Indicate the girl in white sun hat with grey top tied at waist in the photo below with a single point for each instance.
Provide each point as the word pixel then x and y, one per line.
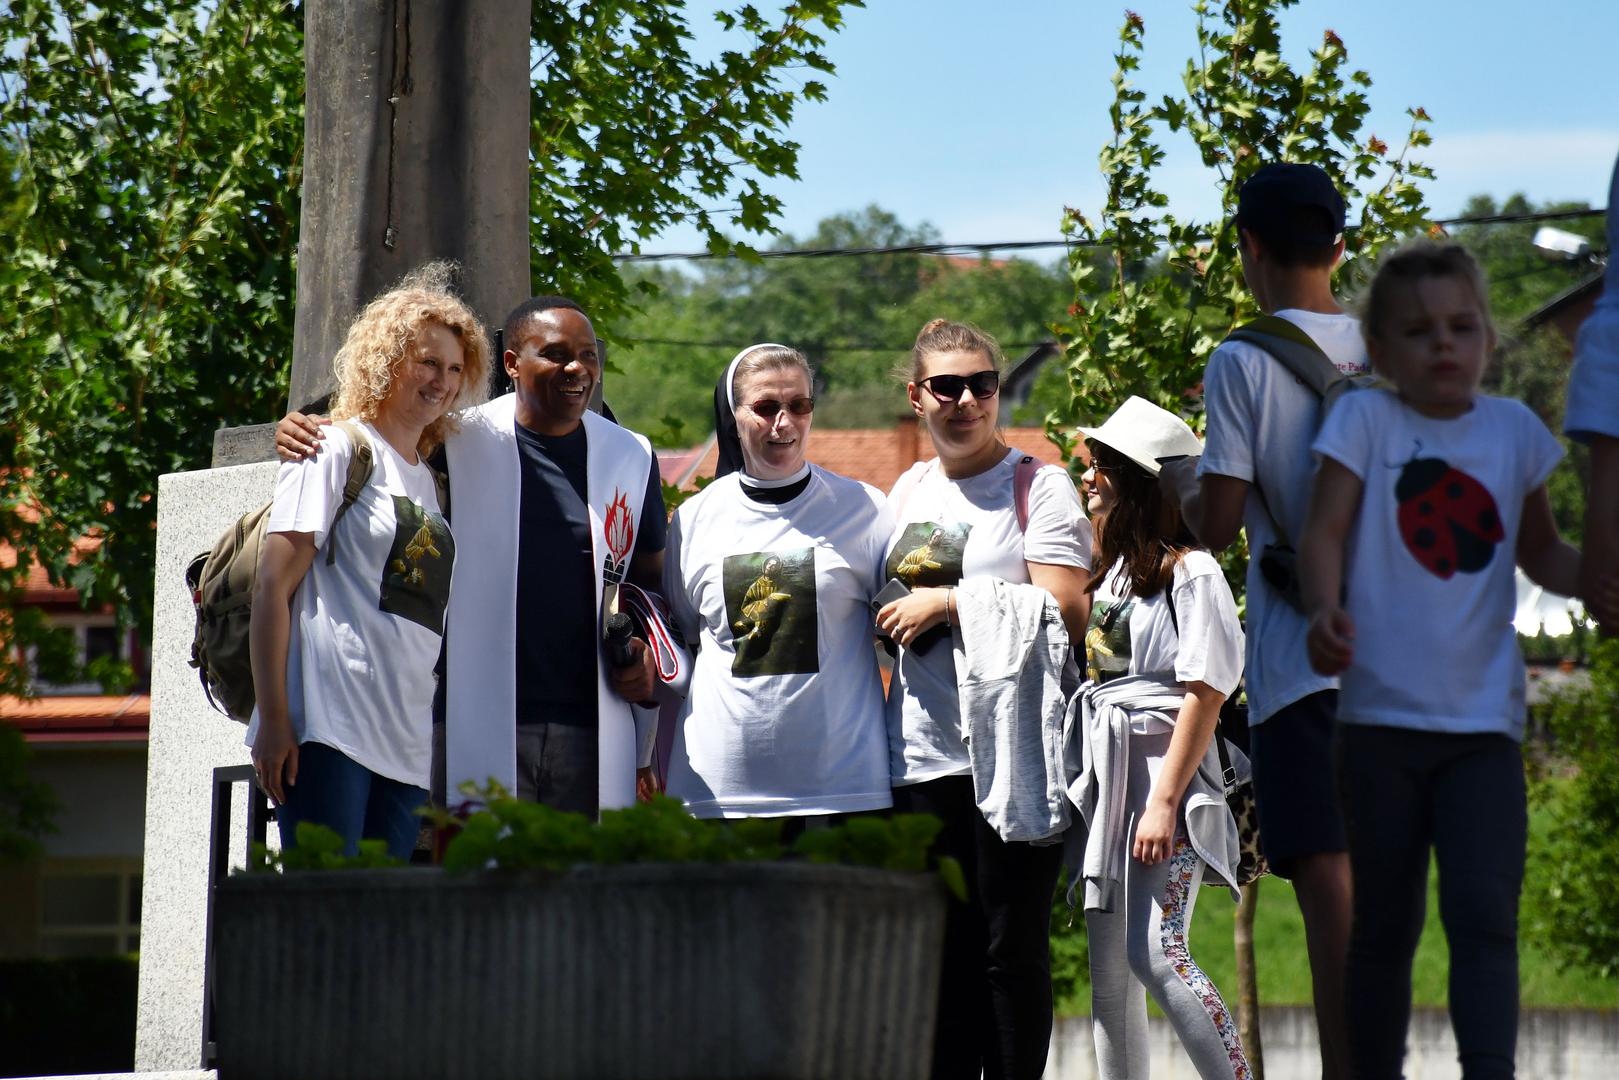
pixel 1165 626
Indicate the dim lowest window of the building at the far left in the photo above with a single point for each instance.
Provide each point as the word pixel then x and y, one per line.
pixel 91 911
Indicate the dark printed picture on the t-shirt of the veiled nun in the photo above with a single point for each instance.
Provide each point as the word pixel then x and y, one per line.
pixel 771 610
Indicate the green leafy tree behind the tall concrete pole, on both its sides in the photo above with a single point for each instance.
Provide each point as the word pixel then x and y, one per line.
pixel 151 163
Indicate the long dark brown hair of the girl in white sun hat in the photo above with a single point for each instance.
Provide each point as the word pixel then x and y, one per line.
pixel 1142 530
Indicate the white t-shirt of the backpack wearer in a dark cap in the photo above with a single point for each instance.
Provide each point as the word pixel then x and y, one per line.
pixel 1260 427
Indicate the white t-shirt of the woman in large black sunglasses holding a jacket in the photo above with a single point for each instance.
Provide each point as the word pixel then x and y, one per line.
pixel 950 530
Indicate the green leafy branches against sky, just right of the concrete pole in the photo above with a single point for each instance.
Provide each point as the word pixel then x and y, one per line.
pixel 634 134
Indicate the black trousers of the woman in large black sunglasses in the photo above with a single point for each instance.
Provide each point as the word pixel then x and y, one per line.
pixel 995 997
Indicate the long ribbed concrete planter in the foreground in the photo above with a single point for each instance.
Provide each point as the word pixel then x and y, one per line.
pixel 647 971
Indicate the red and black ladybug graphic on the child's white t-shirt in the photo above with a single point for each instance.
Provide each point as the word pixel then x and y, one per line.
pixel 1448 519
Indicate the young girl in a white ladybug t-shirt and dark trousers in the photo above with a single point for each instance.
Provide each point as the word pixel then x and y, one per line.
pixel 1427 498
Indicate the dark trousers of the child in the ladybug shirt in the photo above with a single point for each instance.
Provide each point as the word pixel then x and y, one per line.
pixel 1464 797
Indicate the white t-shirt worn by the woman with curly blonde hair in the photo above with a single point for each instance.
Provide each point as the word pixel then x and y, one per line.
pixel 367 629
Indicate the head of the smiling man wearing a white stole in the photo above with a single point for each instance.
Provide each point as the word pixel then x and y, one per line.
pixel 555 367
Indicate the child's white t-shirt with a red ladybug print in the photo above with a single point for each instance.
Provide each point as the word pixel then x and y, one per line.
pixel 1430 559
